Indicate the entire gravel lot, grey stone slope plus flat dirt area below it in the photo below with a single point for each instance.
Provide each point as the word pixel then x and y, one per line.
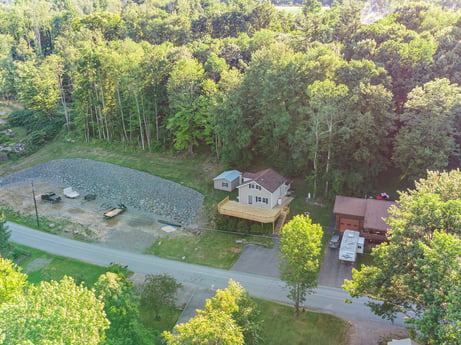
pixel 151 202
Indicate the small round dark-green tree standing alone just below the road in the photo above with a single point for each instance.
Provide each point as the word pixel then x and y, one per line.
pixel 157 291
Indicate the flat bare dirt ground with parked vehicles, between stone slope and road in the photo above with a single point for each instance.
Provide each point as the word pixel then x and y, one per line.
pixel 133 230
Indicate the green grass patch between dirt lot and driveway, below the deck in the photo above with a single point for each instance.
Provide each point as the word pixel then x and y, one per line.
pixel 196 248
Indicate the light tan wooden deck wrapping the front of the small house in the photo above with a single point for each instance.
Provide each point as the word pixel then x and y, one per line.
pixel 258 214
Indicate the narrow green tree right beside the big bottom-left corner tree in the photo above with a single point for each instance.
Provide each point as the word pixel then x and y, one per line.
pixel 120 307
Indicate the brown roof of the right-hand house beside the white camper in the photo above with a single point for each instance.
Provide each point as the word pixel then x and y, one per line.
pixel 373 211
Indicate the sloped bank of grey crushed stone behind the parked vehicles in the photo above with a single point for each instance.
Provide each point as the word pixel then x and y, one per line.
pixel 115 184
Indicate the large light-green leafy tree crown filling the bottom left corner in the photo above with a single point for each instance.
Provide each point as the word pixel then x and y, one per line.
pixel 54 313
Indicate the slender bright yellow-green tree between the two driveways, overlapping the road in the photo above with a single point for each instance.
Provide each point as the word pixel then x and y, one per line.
pixel 300 247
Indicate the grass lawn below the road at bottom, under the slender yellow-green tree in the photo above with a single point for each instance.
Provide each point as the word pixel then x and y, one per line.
pixel 281 326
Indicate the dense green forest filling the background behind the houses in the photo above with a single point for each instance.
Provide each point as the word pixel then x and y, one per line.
pixel 317 94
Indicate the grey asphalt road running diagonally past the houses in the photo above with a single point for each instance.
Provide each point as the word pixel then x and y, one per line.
pixel 325 299
